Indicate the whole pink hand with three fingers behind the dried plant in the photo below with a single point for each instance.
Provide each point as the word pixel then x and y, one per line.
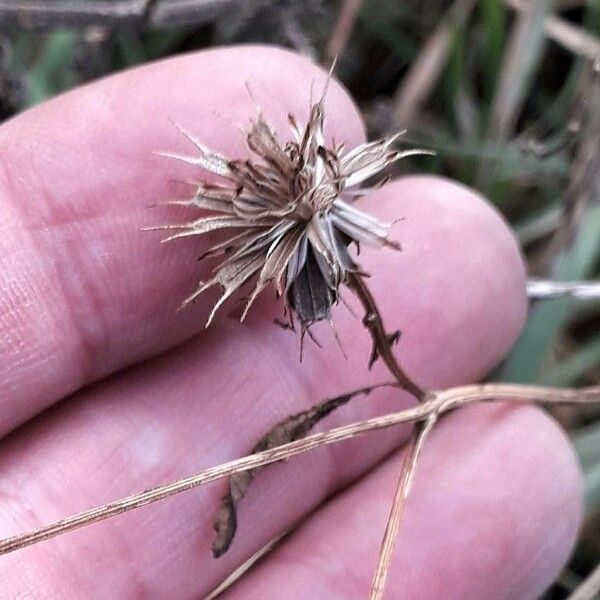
pixel 84 295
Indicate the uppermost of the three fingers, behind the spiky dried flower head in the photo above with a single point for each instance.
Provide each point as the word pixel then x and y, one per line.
pixel 83 291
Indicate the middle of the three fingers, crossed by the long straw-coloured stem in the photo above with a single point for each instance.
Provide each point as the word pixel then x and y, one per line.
pixel 211 400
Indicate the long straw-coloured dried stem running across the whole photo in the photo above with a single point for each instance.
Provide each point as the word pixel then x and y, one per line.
pixel 436 402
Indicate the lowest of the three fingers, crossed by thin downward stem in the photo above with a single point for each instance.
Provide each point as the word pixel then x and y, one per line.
pixel 493 513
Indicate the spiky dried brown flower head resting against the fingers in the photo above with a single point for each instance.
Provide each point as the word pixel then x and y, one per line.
pixel 289 214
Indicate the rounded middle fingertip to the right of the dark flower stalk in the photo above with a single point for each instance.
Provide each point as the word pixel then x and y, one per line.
pixel 461 276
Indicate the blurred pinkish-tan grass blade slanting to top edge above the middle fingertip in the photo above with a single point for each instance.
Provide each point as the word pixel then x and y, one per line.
pixel 423 75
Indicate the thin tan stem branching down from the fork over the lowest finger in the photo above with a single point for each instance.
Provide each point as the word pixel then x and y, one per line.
pixel 399 505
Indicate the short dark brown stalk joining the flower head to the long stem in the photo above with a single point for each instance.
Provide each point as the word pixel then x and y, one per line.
pixel 382 341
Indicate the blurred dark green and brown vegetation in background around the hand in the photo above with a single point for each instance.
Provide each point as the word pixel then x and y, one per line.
pixel 505 91
